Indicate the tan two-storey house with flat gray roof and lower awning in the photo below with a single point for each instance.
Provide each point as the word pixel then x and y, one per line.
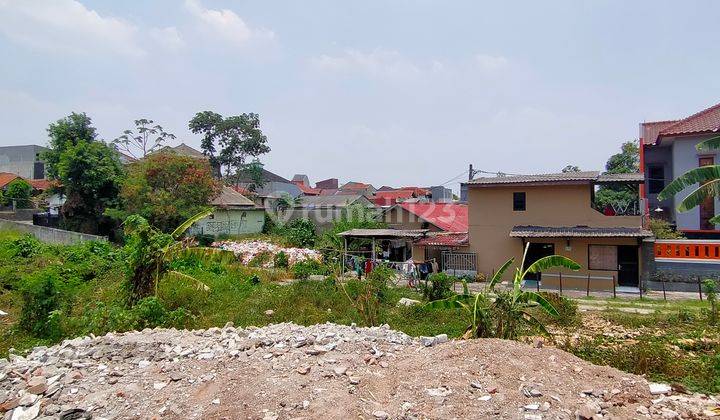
pixel 556 214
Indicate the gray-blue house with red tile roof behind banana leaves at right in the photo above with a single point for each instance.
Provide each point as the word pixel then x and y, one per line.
pixel 668 151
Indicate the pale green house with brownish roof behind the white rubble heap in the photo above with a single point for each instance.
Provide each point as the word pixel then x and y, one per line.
pixel 234 214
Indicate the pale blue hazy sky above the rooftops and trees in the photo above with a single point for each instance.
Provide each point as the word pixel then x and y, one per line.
pixel 390 92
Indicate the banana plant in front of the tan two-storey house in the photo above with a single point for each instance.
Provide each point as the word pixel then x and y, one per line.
pixel 499 314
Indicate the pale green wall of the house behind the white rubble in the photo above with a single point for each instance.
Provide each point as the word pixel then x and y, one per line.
pixel 231 222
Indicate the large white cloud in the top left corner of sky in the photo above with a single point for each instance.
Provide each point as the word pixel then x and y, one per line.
pixel 66 26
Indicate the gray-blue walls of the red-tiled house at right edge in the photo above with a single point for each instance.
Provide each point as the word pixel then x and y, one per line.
pixel 685 157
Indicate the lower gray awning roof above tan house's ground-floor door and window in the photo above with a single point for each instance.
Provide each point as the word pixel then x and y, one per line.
pixel 578 232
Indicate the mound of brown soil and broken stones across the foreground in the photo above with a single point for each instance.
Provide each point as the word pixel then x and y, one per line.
pixel 322 371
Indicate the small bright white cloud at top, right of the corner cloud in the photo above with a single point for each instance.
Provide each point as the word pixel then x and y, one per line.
pixel 226 24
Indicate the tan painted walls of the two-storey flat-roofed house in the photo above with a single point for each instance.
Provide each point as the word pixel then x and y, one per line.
pixel 491 217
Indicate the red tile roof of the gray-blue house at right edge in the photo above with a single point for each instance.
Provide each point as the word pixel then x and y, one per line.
pixel 705 121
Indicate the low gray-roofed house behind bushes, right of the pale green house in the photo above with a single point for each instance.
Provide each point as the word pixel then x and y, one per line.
pixel 323 210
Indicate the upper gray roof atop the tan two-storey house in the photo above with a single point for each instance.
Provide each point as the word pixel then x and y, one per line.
pixel 583 177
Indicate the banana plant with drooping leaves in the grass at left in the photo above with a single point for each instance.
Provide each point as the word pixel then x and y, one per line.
pixel 149 253
